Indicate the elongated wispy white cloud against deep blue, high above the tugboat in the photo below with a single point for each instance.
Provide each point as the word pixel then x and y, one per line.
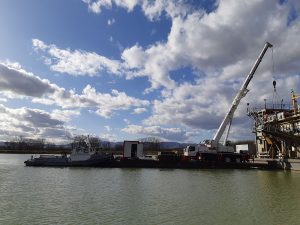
pixel 76 62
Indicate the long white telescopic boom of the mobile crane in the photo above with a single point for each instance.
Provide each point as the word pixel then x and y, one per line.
pixel 241 93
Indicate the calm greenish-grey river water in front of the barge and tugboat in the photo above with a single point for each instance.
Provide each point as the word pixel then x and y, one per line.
pixel 31 195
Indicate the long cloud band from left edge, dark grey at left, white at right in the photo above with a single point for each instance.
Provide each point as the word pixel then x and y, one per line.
pixel 19 83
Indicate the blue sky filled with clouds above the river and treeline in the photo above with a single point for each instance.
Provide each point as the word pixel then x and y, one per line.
pixel 130 69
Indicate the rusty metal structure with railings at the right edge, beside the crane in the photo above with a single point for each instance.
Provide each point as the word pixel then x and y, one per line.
pixel 277 129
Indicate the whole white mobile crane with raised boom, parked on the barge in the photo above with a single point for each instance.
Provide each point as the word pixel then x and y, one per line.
pixel 213 149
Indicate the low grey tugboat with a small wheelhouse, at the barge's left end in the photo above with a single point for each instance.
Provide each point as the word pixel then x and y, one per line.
pixel 82 155
